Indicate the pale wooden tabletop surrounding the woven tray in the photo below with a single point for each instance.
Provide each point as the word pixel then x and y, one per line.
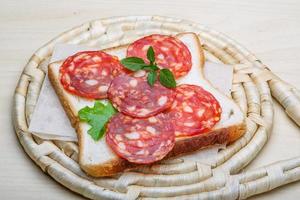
pixel 270 29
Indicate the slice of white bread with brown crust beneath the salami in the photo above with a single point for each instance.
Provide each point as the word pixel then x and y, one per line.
pixel 97 159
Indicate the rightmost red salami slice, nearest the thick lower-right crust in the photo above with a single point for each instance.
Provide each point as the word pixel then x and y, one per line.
pixel 194 111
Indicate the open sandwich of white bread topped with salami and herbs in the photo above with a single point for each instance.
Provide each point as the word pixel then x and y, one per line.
pixel 140 103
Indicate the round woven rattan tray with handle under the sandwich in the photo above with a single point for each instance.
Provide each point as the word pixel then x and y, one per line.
pixel 253 86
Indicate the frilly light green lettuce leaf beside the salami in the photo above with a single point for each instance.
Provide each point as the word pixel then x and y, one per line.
pixel 97 117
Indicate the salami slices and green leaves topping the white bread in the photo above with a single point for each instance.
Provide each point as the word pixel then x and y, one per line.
pixel 151 113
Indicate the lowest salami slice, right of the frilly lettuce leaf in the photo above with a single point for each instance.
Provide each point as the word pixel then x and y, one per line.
pixel 141 141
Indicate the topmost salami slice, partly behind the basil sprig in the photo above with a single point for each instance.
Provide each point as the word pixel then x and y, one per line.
pixel 170 53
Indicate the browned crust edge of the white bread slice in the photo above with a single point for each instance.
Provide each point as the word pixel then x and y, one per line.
pixel 182 145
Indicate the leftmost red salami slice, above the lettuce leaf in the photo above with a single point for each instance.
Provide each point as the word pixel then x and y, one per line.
pixel 88 74
